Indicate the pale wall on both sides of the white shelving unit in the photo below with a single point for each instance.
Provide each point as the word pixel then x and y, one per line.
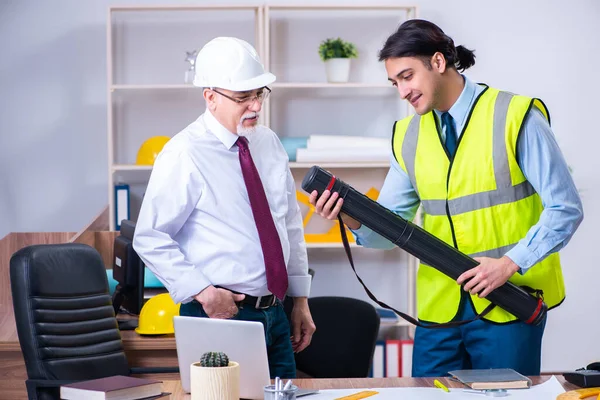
pixel 53 120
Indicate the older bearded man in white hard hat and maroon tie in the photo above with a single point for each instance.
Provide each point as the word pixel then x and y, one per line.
pixel 220 225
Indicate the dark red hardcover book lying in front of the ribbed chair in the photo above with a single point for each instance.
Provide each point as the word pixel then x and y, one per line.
pixel 116 387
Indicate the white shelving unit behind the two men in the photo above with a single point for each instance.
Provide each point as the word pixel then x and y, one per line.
pixel 137 77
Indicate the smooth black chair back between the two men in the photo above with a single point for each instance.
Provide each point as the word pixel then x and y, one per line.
pixel 344 342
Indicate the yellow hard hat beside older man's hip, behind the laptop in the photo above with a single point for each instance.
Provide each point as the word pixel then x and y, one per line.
pixel 156 317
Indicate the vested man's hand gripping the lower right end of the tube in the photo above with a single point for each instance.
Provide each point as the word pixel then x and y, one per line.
pixel 490 274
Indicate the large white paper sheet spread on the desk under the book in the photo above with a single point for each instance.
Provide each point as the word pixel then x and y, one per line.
pixel 547 390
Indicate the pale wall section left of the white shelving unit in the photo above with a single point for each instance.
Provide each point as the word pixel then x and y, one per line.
pixel 53 112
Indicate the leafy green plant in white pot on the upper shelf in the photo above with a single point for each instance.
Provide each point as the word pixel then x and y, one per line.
pixel 336 53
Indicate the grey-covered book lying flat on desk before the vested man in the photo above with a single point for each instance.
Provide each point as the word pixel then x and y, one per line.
pixel 493 378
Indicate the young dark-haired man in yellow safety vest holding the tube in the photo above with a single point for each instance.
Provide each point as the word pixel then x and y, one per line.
pixel 493 183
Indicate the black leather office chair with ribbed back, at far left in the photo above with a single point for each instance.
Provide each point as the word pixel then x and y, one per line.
pixel 65 319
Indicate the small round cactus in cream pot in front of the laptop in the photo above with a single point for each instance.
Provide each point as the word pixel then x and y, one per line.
pixel 215 377
